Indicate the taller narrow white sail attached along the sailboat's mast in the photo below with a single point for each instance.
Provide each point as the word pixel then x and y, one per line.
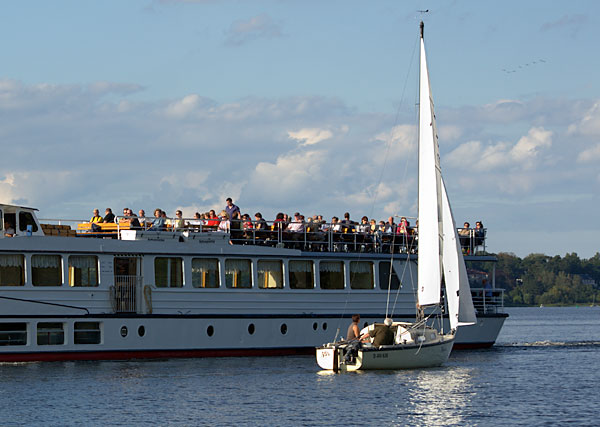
pixel 430 227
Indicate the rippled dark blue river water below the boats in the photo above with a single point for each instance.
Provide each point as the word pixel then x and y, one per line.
pixel 544 370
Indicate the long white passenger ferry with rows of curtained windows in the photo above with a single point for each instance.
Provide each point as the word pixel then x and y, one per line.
pixel 73 291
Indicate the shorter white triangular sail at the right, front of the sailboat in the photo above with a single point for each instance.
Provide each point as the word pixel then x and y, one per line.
pixel 458 290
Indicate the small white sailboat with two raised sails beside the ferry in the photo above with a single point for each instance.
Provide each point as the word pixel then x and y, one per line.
pixel 440 259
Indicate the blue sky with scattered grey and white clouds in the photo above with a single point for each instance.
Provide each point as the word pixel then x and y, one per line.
pixel 306 106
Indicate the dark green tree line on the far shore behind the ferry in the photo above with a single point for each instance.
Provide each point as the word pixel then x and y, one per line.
pixel 542 279
